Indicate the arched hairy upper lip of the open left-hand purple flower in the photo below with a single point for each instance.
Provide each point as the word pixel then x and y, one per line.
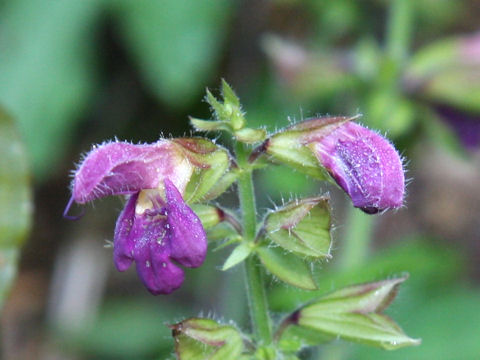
pixel 121 168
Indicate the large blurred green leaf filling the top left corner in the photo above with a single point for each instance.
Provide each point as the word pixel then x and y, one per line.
pixel 45 71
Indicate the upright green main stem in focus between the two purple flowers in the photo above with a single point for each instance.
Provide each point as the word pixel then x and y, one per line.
pixel 257 300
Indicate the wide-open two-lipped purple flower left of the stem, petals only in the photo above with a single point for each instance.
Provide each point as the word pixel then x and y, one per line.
pixel 156 229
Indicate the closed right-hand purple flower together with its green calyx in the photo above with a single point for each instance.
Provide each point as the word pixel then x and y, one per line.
pixel 362 162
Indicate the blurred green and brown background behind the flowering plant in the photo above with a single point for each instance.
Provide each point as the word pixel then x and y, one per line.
pixel 73 73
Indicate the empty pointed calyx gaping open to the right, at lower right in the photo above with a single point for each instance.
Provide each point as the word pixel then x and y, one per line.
pixel 355 313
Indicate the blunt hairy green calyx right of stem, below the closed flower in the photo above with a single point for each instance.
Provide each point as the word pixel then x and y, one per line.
pixel 302 226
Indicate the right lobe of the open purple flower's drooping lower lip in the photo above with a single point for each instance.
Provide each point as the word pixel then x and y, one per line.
pixel 188 241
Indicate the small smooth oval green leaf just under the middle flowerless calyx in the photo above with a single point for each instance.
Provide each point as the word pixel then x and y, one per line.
pixel 287 267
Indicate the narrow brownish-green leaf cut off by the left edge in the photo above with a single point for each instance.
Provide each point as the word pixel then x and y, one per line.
pixel 15 201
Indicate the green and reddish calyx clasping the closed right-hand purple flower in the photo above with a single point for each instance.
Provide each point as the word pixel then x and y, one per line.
pixel 289 145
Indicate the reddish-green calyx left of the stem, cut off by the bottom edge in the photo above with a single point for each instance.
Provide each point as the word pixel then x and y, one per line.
pixel 199 339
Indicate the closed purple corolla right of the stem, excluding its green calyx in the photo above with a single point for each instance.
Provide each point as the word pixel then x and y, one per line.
pixel 364 164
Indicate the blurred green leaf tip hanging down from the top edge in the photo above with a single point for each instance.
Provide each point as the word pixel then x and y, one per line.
pixel 176 43
